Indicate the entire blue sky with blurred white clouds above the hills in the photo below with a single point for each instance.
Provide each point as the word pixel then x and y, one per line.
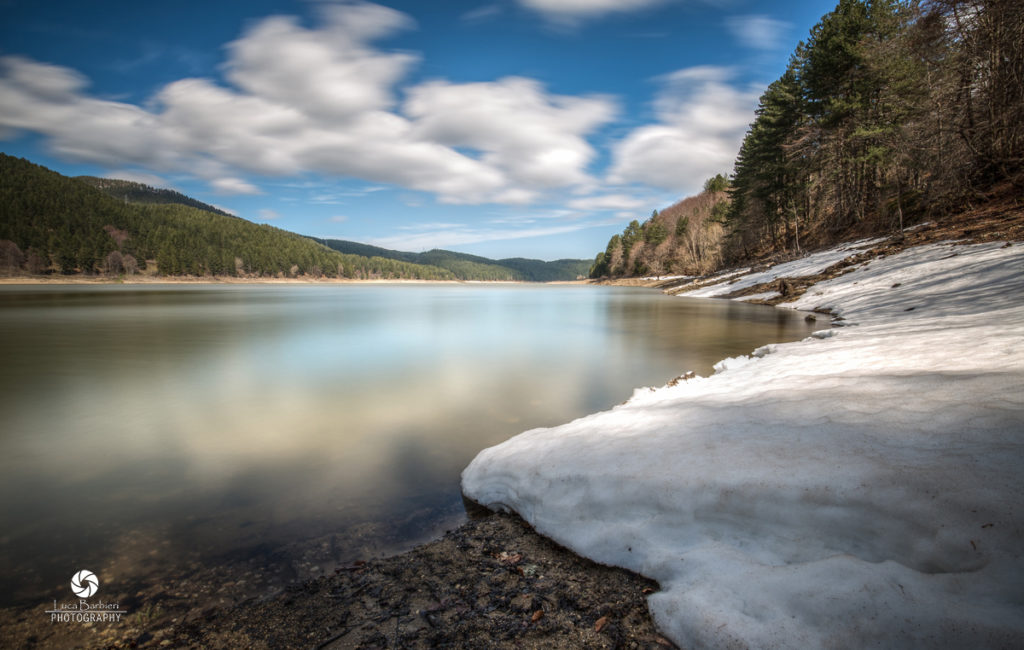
pixel 517 128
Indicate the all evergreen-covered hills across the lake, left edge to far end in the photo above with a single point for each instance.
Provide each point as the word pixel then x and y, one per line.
pixel 51 224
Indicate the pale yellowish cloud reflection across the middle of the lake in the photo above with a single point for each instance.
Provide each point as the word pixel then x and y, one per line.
pixel 233 421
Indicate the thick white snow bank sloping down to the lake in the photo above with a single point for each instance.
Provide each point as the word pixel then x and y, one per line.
pixel 863 488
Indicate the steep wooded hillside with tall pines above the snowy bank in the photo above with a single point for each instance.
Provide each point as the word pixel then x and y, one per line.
pixel 890 114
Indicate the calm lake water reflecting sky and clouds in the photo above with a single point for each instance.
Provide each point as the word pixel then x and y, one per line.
pixel 153 432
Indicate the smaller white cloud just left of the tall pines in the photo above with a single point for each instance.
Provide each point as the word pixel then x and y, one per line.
pixel 702 119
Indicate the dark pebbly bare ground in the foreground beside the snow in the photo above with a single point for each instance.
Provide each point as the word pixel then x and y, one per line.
pixel 414 597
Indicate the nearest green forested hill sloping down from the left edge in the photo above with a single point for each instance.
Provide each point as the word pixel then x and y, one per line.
pixel 52 224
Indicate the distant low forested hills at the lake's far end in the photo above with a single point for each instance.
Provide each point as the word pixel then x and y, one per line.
pixel 466 267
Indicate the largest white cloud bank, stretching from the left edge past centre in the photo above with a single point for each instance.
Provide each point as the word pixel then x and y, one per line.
pixel 321 100
